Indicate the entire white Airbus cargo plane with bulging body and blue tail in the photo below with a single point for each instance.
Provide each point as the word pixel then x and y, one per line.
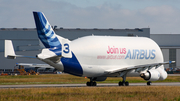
pixel 98 57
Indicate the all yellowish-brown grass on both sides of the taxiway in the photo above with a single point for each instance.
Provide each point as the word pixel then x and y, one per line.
pixel 130 93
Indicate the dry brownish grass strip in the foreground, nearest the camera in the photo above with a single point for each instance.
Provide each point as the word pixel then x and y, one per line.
pixel 131 93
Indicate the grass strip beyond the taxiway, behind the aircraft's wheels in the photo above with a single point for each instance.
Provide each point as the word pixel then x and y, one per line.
pixel 68 79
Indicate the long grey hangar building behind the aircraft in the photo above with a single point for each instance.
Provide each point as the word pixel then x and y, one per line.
pixel 25 41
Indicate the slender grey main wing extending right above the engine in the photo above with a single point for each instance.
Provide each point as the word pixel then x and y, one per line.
pixel 138 68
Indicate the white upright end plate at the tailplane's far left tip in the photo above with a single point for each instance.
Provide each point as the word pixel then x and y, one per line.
pixel 9 50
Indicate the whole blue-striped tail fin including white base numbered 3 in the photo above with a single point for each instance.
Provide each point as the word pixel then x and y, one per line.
pixel 56 44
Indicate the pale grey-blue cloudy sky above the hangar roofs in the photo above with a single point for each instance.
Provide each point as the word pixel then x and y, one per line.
pixel 161 16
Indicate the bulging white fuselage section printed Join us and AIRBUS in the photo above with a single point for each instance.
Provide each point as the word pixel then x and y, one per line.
pixel 97 54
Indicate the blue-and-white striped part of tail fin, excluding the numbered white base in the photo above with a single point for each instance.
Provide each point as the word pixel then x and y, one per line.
pixel 45 31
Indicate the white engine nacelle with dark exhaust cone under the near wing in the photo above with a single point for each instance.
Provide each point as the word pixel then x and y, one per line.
pixel 151 75
